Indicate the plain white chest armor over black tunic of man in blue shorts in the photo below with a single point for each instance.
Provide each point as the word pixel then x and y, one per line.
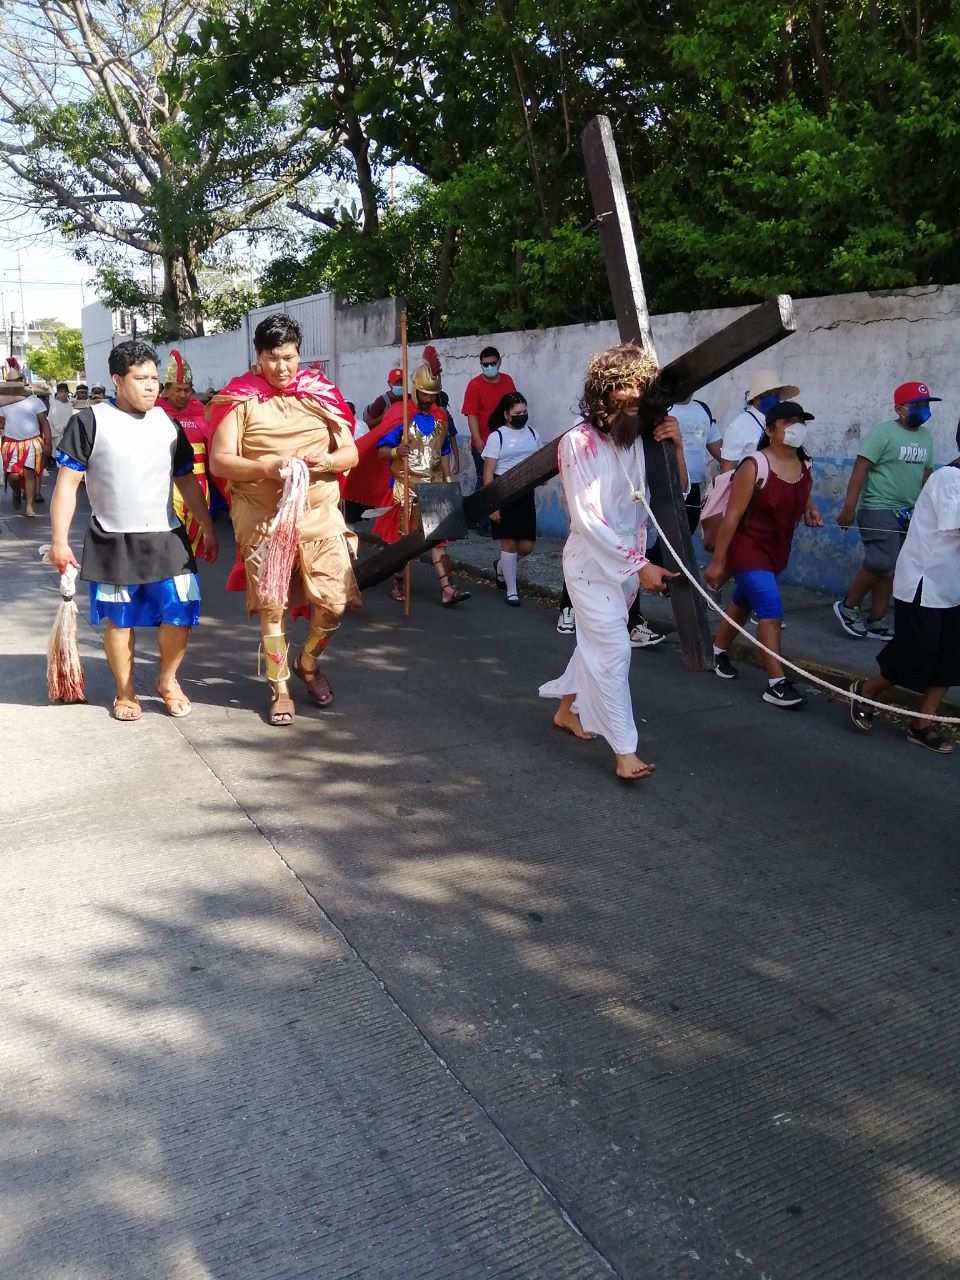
pixel 130 472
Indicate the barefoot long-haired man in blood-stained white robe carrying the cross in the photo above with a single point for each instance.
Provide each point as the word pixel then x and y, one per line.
pixel 605 561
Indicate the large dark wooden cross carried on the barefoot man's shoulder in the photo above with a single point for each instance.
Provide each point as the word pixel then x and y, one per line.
pixel 742 341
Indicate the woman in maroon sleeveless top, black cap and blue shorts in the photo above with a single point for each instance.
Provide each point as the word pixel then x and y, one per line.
pixel 756 538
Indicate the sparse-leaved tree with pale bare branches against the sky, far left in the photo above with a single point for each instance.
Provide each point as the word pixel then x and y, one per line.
pixel 100 145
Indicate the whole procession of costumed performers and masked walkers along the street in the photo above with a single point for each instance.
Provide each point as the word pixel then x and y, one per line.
pixel 152 516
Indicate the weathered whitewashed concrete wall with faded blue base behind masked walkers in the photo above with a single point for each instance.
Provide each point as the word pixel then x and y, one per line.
pixel 847 356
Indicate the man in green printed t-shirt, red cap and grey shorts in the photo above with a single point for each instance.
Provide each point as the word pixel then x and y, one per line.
pixel 893 465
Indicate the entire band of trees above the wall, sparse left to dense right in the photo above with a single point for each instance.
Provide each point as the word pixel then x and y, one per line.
pixel 801 145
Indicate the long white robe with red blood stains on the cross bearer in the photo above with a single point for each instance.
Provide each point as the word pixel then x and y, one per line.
pixel 602 559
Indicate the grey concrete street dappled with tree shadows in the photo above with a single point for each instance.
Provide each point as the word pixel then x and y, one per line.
pixel 415 989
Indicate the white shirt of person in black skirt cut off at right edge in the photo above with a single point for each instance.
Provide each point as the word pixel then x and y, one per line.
pixel 931 550
